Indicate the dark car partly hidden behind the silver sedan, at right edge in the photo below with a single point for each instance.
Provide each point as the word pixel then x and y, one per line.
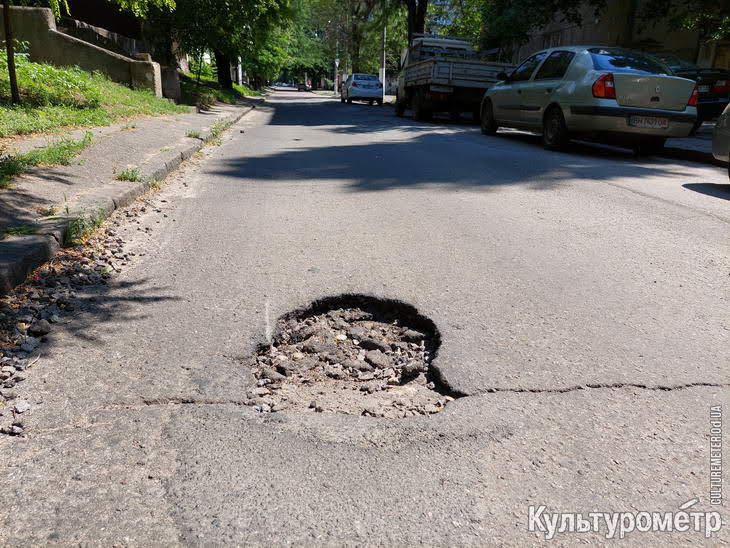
pixel 713 85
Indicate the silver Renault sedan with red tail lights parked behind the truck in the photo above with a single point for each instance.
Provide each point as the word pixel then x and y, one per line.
pixel 611 94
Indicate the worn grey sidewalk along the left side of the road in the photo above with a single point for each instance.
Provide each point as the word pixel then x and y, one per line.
pixel 43 201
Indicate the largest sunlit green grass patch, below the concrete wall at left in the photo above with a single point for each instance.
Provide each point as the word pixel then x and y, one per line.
pixel 58 97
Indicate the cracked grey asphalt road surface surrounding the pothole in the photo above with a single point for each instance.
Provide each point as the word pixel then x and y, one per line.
pixel 581 297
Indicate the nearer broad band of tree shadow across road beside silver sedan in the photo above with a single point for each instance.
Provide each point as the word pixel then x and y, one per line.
pixel 445 159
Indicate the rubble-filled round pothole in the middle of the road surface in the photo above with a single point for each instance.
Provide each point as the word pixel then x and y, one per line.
pixel 351 354
